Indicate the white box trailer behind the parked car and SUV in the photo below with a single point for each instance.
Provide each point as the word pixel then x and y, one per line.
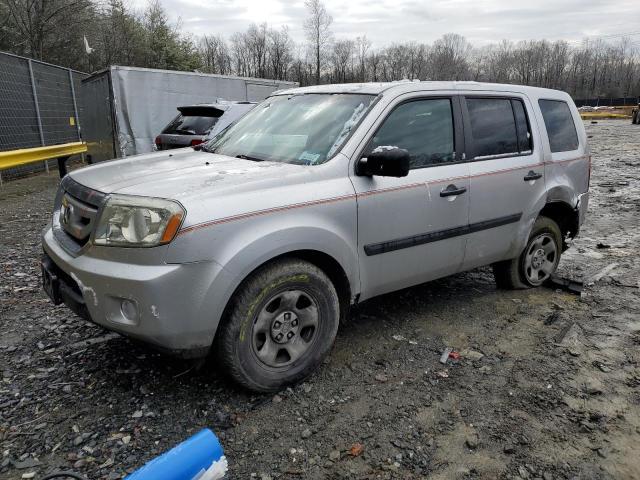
pixel 124 108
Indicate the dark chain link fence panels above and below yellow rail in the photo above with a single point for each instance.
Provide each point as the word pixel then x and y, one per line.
pixel 39 106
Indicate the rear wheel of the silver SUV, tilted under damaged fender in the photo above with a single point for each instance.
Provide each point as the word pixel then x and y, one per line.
pixel 538 260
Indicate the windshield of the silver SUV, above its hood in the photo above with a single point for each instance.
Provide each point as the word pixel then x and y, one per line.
pixel 302 129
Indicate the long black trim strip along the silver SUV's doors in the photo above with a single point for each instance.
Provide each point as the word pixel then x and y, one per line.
pixel 421 239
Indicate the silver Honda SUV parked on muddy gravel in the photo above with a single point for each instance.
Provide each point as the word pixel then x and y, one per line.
pixel 254 245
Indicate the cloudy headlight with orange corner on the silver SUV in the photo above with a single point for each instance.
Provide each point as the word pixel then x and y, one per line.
pixel 130 221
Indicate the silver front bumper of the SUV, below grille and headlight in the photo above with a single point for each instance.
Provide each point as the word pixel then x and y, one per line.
pixel 171 300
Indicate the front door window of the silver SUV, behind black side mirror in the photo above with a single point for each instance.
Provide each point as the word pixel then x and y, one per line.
pixel 422 127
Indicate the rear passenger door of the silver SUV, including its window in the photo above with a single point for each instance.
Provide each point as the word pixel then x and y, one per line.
pixel 506 173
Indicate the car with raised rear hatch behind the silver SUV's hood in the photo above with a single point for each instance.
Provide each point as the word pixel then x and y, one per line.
pixel 196 124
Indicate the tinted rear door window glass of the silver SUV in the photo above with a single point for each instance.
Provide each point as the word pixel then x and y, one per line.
pixel 493 126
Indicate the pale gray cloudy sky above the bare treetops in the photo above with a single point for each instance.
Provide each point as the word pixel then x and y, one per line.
pixel 387 21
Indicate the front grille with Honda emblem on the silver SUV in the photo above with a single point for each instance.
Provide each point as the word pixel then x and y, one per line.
pixel 75 214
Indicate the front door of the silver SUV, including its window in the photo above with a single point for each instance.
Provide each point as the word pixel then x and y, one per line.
pixel 411 229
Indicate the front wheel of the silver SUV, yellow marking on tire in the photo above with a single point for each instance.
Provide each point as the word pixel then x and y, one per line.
pixel 279 327
